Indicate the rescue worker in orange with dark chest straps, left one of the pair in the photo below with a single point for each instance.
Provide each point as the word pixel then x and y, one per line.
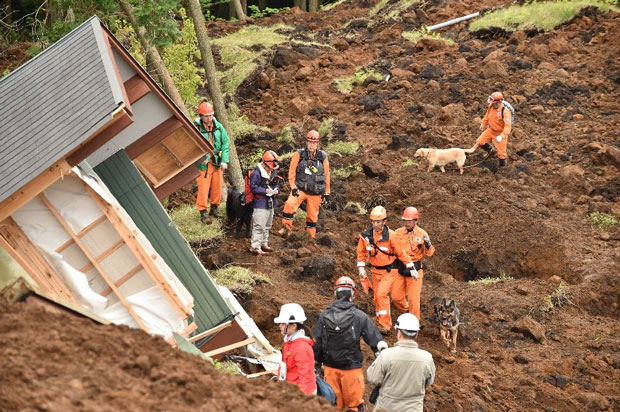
pixel 381 247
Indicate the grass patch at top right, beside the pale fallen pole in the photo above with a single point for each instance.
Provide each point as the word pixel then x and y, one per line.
pixel 543 16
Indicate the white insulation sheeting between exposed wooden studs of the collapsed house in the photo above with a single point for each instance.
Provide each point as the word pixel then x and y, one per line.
pixel 70 198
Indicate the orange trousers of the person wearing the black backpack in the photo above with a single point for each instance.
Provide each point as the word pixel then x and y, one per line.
pixel 348 385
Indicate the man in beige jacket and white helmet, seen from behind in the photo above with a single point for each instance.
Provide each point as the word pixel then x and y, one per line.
pixel 404 371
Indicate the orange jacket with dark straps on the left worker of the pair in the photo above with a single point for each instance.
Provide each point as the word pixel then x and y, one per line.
pixel 387 242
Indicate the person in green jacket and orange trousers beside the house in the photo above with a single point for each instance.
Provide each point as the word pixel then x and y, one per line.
pixel 211 167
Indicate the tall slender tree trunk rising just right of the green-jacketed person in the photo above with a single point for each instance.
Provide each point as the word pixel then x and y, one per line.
pixel 214 89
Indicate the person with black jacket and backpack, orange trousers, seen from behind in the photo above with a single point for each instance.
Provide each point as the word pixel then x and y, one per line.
pixel 337 345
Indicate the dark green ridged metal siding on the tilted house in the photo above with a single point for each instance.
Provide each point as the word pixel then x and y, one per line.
pixel 126 184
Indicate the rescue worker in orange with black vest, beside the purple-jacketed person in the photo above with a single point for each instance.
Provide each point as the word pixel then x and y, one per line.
pixel 309 179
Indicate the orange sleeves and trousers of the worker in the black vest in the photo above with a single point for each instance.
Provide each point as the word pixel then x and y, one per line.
pixel 313 202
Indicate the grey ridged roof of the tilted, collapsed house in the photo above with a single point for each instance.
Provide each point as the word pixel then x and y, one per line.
pixel 53 103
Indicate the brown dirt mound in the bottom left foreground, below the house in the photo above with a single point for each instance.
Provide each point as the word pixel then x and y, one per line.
pixel 56 361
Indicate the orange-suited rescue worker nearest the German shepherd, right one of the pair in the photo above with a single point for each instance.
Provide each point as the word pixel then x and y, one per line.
pixel 417 244
